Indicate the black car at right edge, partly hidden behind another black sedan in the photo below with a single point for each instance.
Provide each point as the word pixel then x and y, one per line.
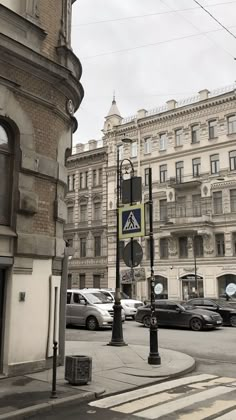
pixel 227 312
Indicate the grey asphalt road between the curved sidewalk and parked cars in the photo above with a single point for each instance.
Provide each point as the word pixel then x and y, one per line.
pixel 213 350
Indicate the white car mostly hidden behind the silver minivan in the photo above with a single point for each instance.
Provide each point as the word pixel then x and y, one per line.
pixel 129 305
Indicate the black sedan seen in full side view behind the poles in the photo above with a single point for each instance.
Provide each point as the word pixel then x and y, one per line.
pixel 171 313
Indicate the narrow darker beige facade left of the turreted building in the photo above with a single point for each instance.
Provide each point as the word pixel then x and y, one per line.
pixel 86 228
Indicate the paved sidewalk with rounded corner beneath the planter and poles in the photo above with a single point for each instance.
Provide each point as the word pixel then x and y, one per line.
pixel 114 370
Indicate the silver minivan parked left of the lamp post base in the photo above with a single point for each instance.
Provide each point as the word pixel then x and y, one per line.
pixel 89 309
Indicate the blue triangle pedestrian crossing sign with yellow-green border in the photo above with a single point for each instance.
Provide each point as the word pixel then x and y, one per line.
pixel 131 221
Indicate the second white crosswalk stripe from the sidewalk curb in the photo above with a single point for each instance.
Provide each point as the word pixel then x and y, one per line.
pixel 173 406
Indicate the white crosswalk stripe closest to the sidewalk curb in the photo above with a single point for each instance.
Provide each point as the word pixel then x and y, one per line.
pixel 140 393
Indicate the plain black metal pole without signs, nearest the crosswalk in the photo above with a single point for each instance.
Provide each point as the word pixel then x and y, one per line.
pixel 154 357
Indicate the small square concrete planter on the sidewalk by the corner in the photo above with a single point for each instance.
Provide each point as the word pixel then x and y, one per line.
pixel 78 369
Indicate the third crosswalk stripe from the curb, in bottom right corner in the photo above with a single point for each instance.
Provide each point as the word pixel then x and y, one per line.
pixel 205 412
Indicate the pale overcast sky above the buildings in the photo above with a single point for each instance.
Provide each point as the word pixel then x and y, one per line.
pixel 148 52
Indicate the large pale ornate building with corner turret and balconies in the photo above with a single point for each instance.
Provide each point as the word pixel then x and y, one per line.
pixel 191 147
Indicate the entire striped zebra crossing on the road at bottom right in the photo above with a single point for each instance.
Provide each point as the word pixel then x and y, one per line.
pixel 197 397
